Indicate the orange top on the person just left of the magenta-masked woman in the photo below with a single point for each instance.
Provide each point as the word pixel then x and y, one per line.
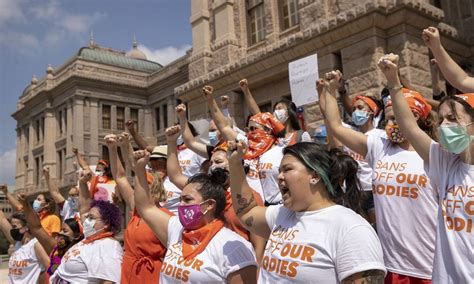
pixel 144 253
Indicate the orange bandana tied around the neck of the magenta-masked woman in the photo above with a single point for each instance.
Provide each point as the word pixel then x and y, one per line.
pixel 195 241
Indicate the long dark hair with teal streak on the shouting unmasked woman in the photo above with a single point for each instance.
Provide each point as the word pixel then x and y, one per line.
pixel 333 168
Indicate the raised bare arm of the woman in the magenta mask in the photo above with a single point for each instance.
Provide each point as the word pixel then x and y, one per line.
pixel 155 218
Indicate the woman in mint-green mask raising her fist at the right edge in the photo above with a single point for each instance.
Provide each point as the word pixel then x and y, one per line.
pixel 451 170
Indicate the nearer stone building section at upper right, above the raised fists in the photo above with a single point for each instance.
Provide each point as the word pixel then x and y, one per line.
pixel 350 35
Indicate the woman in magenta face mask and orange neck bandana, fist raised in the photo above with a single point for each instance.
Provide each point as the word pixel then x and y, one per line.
pixel 200 248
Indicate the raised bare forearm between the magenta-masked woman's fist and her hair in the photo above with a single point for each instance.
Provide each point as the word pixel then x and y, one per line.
pixel 175 173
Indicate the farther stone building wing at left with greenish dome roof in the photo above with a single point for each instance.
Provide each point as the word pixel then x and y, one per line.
pixel 92 94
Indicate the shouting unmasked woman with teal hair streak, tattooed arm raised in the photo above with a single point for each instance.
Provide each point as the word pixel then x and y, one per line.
pixel 311 238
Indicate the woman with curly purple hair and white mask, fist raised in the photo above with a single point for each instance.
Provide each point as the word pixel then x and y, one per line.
pixel 97 258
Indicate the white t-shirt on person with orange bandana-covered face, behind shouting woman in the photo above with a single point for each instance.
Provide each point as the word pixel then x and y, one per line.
pixel 268 165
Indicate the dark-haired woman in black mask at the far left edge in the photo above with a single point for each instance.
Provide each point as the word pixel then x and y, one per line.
pixel 29 258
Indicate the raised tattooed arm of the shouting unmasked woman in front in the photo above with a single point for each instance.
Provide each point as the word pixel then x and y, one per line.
pixel 250 214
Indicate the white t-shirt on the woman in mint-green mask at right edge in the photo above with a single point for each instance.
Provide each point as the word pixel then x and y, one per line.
pixel 454 180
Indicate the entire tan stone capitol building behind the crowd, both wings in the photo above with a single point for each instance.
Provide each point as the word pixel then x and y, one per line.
pixel 98 89
